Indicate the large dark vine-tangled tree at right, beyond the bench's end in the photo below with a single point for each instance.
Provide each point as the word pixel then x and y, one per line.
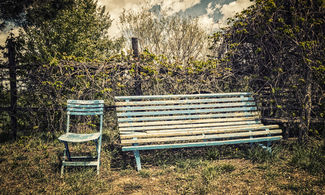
pixel 280 44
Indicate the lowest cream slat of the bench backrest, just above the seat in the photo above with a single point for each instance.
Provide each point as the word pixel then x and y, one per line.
pixel 168 127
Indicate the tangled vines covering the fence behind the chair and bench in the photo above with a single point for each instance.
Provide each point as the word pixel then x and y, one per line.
pixel 78 78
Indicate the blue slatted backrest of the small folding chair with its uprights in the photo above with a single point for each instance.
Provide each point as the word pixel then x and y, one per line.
pixel 85 108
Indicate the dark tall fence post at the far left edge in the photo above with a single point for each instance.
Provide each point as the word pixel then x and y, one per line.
pixel 13 86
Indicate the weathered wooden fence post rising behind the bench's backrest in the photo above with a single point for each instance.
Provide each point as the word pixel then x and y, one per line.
pixel 135 48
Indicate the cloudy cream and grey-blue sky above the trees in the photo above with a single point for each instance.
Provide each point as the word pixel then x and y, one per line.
pixel 212 14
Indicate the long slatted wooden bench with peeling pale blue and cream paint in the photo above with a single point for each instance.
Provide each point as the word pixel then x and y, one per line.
pixel 197 120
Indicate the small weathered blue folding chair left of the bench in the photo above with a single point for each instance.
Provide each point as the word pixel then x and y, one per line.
pixel 82 110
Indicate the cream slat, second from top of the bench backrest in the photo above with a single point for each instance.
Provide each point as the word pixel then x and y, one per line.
pixel 190 101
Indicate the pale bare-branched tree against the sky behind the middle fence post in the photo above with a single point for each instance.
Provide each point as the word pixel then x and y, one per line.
pixel 174 36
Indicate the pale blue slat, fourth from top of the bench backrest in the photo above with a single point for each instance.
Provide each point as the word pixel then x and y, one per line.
pixel 236 109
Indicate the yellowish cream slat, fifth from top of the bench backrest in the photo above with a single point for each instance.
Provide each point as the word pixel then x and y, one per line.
pixel 193 116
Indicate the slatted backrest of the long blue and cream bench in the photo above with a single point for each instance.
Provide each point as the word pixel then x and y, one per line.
pixel 174 113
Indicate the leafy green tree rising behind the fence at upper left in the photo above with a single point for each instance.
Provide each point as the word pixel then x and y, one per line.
pixel 58 28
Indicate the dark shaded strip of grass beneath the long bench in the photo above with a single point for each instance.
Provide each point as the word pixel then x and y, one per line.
pixel 173 157
